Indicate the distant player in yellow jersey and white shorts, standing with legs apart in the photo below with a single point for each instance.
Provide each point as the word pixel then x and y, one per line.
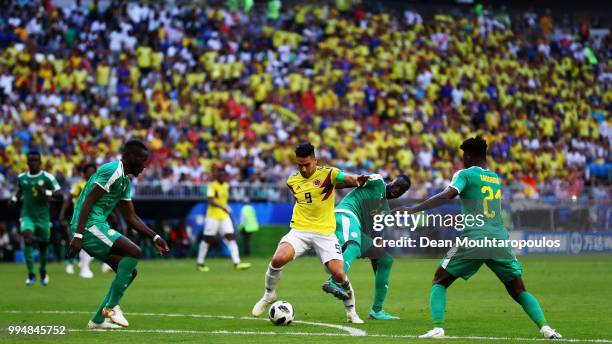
pixel 218 221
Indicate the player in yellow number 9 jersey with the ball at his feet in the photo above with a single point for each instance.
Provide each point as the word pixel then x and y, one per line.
pixel 312 226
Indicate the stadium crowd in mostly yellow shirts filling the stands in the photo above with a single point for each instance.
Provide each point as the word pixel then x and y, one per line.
pixel 374 90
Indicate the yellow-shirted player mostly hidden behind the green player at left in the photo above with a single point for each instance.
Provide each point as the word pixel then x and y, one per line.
pixel 84 258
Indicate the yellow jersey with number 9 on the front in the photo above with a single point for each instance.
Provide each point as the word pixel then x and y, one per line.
pixel 314 200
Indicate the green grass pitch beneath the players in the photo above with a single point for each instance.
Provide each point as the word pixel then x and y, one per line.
pixel 171 302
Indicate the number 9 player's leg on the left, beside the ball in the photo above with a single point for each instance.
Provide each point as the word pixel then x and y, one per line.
pixel 292 245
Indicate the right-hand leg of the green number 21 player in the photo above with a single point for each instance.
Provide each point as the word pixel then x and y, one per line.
pixel 509 272
